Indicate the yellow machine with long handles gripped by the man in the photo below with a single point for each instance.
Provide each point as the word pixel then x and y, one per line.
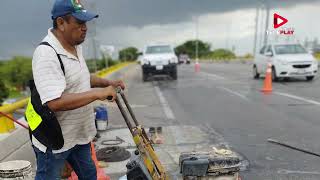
pixel 144 164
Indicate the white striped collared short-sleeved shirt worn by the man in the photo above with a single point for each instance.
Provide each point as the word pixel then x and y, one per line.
pixel 78 126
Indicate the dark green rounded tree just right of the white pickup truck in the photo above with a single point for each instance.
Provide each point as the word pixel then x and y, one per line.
pixel 189 47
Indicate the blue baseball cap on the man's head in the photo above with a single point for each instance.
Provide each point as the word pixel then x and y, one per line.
pixel 73 7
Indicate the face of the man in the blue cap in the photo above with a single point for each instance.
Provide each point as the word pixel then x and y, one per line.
pixel 75 30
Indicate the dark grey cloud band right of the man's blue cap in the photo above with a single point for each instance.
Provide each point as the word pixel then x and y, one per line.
pixel 141 12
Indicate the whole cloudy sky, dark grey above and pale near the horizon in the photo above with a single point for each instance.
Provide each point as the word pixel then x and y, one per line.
pixel 224 24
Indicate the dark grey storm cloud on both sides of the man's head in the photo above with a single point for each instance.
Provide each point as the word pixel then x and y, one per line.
pixel 24 23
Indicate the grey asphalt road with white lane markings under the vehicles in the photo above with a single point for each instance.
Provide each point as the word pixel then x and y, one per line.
pixel 226 102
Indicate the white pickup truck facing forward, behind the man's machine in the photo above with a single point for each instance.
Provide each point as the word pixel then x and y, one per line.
pixel 159 59
